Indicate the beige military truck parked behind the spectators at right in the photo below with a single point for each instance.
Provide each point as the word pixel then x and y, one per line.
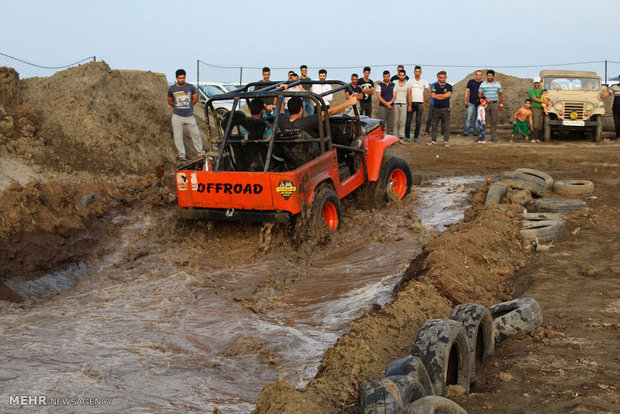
pixel 577 103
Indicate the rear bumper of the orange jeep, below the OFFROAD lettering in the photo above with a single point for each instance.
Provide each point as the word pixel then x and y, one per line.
pixel 221 214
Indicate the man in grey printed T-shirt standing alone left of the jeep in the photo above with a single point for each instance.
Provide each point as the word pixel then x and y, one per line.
pixel 182 97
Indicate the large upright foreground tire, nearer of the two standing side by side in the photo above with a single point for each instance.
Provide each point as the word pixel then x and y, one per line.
pixel 441 344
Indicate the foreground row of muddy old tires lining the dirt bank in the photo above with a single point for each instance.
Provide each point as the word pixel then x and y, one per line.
pixel 446 352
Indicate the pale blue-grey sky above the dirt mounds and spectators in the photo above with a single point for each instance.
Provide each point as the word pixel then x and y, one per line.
pixel 162 36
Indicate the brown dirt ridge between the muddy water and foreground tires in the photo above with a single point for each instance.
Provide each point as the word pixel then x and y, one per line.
pixel 474 261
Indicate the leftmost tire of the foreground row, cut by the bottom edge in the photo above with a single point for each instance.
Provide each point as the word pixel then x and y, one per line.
pixel 388 395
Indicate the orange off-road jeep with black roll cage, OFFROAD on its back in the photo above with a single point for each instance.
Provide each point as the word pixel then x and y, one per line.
pixel 260 173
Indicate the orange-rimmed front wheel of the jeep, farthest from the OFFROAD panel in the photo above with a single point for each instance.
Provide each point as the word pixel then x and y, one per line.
pixel 394 180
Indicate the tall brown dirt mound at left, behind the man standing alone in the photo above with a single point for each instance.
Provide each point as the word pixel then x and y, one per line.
pixel 87 118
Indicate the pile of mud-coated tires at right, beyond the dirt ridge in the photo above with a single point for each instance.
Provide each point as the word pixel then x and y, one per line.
pixel 548 223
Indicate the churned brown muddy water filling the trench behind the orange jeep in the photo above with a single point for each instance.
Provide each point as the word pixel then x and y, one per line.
pixel 163 318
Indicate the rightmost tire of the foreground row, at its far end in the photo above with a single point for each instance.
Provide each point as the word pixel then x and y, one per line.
pixel 516 316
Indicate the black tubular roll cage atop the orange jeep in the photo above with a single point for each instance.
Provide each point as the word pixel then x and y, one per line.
pixel 276 90
